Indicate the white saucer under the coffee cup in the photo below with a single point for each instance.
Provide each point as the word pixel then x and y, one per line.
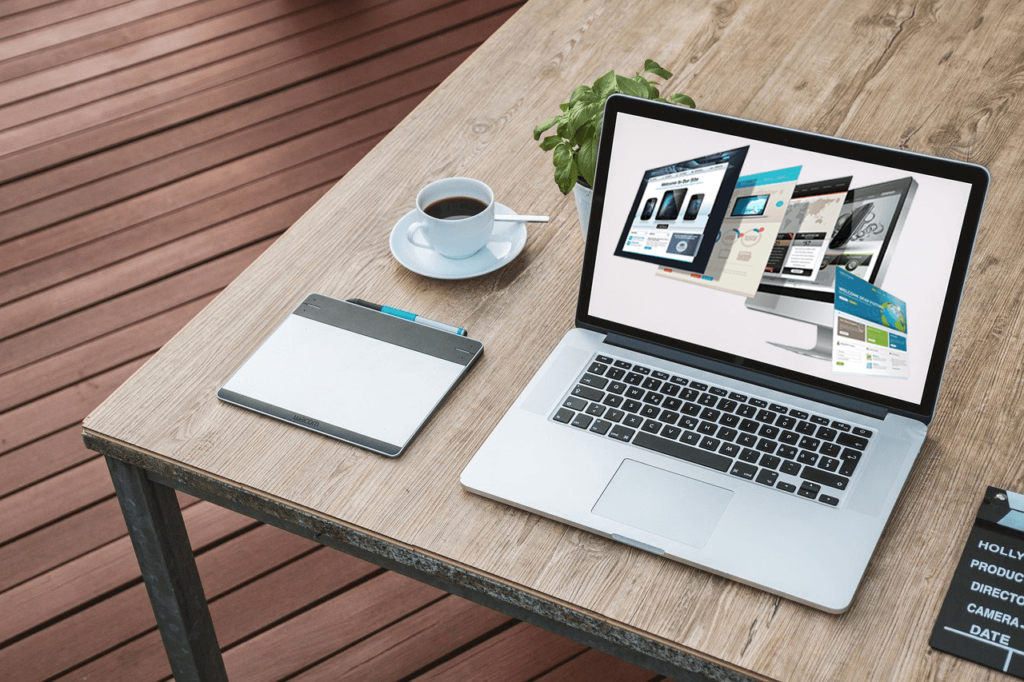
pixel 506 243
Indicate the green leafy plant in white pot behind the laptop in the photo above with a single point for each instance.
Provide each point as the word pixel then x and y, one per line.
pixel 578 129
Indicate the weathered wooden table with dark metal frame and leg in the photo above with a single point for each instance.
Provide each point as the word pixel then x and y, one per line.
pixel 944 79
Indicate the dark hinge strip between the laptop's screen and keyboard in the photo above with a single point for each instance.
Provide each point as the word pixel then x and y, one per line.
pixel 751 376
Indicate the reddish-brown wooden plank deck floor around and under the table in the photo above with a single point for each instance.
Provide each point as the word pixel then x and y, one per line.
pixel 150 150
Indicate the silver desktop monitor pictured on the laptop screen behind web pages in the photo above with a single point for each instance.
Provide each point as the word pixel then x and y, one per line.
pixel 864 239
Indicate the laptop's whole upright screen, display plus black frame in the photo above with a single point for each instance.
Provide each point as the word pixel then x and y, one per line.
pixel 819 261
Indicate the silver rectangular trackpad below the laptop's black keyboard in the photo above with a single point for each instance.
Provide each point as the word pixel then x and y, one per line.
pixel 664 503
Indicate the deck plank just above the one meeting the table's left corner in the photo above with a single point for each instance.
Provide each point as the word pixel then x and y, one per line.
pixel 60 410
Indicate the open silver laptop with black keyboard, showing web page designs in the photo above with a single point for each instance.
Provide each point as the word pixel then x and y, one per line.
pixel 751 377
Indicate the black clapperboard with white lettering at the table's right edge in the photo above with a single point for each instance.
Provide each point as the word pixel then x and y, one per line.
pixel 983 618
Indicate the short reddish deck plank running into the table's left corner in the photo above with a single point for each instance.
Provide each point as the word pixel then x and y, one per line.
pixel 44 458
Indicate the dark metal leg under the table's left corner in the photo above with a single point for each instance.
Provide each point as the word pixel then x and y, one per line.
pixel 158 534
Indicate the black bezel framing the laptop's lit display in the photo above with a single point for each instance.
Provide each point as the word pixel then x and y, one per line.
pixel 975 176
